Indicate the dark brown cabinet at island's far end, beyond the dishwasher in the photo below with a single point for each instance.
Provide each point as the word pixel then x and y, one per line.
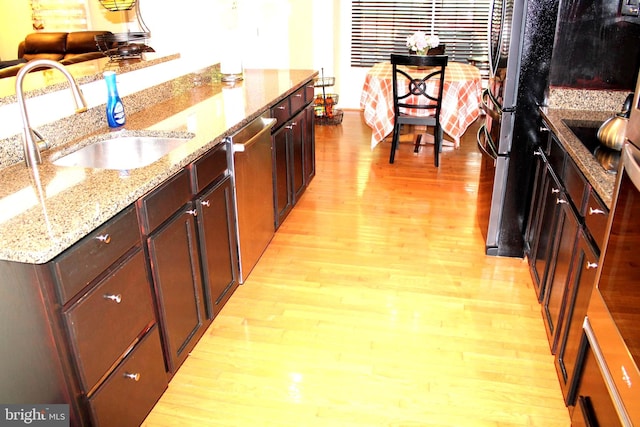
pixel 293 150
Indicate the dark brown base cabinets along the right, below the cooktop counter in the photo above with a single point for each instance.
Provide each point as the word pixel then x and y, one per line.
pixel 565 228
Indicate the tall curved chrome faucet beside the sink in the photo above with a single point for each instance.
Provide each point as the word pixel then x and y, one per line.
pixel 30 136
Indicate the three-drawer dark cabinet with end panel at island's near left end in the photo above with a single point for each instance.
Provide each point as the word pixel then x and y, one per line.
pixel 79 320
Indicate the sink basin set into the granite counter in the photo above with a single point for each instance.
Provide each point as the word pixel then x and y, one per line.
pixel 121 152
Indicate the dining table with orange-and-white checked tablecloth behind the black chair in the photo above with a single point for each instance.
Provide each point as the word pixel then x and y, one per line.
pixel 460 104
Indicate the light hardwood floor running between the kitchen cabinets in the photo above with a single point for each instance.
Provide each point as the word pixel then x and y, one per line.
pixel 375 305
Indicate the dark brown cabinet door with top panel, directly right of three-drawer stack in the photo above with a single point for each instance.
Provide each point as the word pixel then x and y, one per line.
pixel 169 227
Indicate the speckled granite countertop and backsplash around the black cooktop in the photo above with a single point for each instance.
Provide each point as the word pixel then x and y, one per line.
pixel 602 181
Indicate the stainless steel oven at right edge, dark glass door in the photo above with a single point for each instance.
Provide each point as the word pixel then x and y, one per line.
pixel 613 317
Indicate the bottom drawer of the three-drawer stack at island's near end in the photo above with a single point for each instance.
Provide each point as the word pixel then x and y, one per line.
pixel 129 394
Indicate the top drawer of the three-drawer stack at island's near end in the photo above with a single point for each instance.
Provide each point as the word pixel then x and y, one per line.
pixel 85 260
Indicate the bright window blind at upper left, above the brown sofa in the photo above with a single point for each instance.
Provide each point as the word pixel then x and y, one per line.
pixel 59 15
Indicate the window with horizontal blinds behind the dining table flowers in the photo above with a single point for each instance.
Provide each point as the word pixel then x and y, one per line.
pixel 381 27
